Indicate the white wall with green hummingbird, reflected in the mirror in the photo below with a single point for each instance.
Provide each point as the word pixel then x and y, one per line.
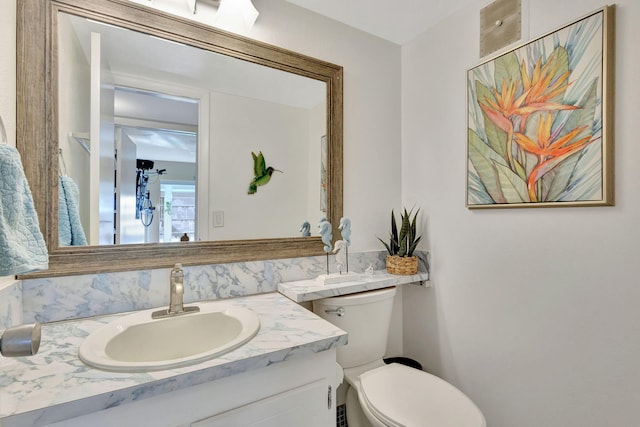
pixel 240 126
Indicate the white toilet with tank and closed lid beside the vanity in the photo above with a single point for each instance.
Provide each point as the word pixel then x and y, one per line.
pixel 383 395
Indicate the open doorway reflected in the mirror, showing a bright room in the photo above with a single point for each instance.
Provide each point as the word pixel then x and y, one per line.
pixel 155 158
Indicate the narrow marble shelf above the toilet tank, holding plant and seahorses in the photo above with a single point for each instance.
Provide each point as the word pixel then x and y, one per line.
pixel 311 289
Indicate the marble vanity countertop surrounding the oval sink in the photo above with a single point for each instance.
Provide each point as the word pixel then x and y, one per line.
pixel 35 390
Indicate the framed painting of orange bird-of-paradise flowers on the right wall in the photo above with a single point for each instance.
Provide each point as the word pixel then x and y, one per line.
pixel 540 120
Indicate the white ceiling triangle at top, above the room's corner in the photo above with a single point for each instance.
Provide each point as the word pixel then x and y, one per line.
pixel 398 21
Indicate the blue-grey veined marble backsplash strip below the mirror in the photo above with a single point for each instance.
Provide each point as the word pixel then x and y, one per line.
pixel 71 297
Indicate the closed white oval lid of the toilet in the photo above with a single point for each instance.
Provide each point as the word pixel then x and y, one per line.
pixel 402 396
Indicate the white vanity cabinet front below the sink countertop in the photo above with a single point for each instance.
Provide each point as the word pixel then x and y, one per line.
pixel 296 392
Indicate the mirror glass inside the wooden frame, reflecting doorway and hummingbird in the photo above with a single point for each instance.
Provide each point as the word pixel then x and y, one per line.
pixel 183 122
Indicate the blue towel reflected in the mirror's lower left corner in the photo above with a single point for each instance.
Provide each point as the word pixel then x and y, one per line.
pixel 69 225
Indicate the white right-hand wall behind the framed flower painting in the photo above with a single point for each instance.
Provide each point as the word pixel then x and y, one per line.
pixel 534 312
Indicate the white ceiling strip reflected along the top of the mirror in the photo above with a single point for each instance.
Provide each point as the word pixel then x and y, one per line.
pixel 195 67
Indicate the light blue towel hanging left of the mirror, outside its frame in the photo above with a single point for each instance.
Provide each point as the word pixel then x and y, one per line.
pixel 22 247
